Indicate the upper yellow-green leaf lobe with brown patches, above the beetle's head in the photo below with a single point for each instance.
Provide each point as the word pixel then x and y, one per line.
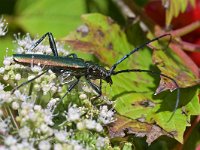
pixel 99 33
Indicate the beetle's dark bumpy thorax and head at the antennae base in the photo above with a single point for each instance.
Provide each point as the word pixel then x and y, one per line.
pixel 94 71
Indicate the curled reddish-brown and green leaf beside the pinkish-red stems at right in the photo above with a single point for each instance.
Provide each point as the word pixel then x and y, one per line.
pixel 171 65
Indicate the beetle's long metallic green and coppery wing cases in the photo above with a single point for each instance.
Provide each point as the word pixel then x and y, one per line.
pixel 50 61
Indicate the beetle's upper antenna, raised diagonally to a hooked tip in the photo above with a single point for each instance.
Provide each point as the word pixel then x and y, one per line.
pixel 136 49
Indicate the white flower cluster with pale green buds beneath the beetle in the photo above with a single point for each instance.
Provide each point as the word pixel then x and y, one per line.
pixel 27 117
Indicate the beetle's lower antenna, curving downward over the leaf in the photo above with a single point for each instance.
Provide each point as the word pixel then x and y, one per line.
pixel 153 72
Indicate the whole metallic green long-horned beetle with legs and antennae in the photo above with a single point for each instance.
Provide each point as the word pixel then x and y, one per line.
pixel 78 67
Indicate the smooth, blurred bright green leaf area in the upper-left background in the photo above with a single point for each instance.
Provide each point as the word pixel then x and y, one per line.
pixel 59 17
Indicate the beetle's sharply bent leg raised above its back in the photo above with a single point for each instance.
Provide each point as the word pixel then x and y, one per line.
pixel 51 42
